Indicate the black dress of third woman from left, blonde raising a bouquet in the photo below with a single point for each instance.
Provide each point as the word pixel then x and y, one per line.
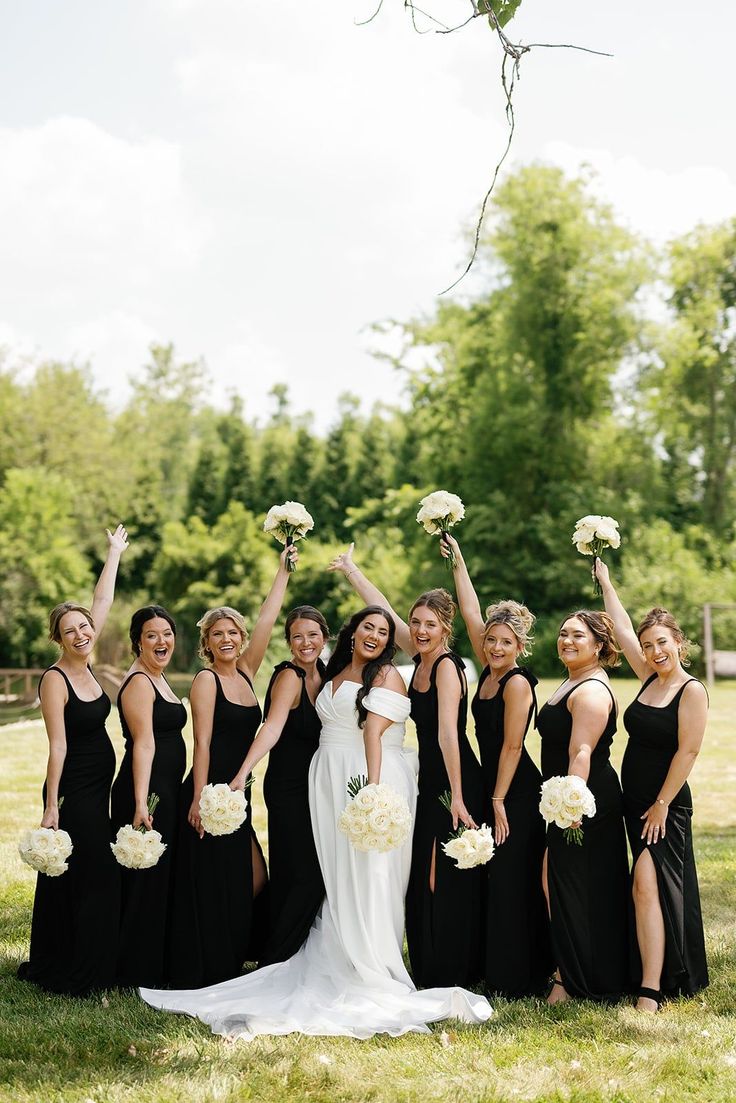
pixel 214 912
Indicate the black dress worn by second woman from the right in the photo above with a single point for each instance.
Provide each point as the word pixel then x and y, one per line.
pixel 589 884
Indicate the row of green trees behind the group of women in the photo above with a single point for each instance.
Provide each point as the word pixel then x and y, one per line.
pixel 588 373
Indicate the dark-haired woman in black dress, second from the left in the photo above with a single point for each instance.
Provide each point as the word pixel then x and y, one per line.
pixel 152 719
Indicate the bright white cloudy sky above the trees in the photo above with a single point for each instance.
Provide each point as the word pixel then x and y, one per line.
pixel 259 181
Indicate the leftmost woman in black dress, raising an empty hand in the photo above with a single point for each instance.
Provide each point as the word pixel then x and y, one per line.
pixel 76 916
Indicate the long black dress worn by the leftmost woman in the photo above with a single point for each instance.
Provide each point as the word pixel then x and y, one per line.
pixel 76 916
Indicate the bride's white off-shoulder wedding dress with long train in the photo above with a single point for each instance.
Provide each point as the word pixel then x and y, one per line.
pixel 349 978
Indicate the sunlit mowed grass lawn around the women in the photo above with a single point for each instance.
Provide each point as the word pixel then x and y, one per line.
pixel 115 1048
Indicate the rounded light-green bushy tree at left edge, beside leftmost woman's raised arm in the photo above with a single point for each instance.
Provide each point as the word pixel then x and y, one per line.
pixel 40 562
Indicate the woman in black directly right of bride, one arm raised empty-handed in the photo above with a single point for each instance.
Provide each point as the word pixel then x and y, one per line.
pixel 443 903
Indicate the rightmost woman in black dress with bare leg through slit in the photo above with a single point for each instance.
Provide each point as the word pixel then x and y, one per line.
pixel 666 724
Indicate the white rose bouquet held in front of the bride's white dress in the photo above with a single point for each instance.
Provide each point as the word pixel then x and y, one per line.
pixel 377 818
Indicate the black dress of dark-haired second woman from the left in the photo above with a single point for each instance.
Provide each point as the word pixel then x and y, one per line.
pixel 146 904
